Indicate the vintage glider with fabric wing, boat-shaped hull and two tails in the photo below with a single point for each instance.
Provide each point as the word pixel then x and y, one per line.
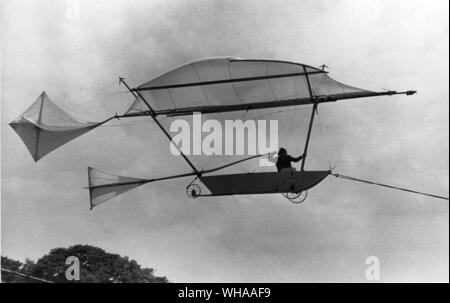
pixel 212 85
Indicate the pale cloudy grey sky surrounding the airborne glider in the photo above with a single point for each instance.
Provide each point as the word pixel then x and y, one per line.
pixel 76 50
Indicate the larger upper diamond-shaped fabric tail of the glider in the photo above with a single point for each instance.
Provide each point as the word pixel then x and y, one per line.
pixel 43 127
